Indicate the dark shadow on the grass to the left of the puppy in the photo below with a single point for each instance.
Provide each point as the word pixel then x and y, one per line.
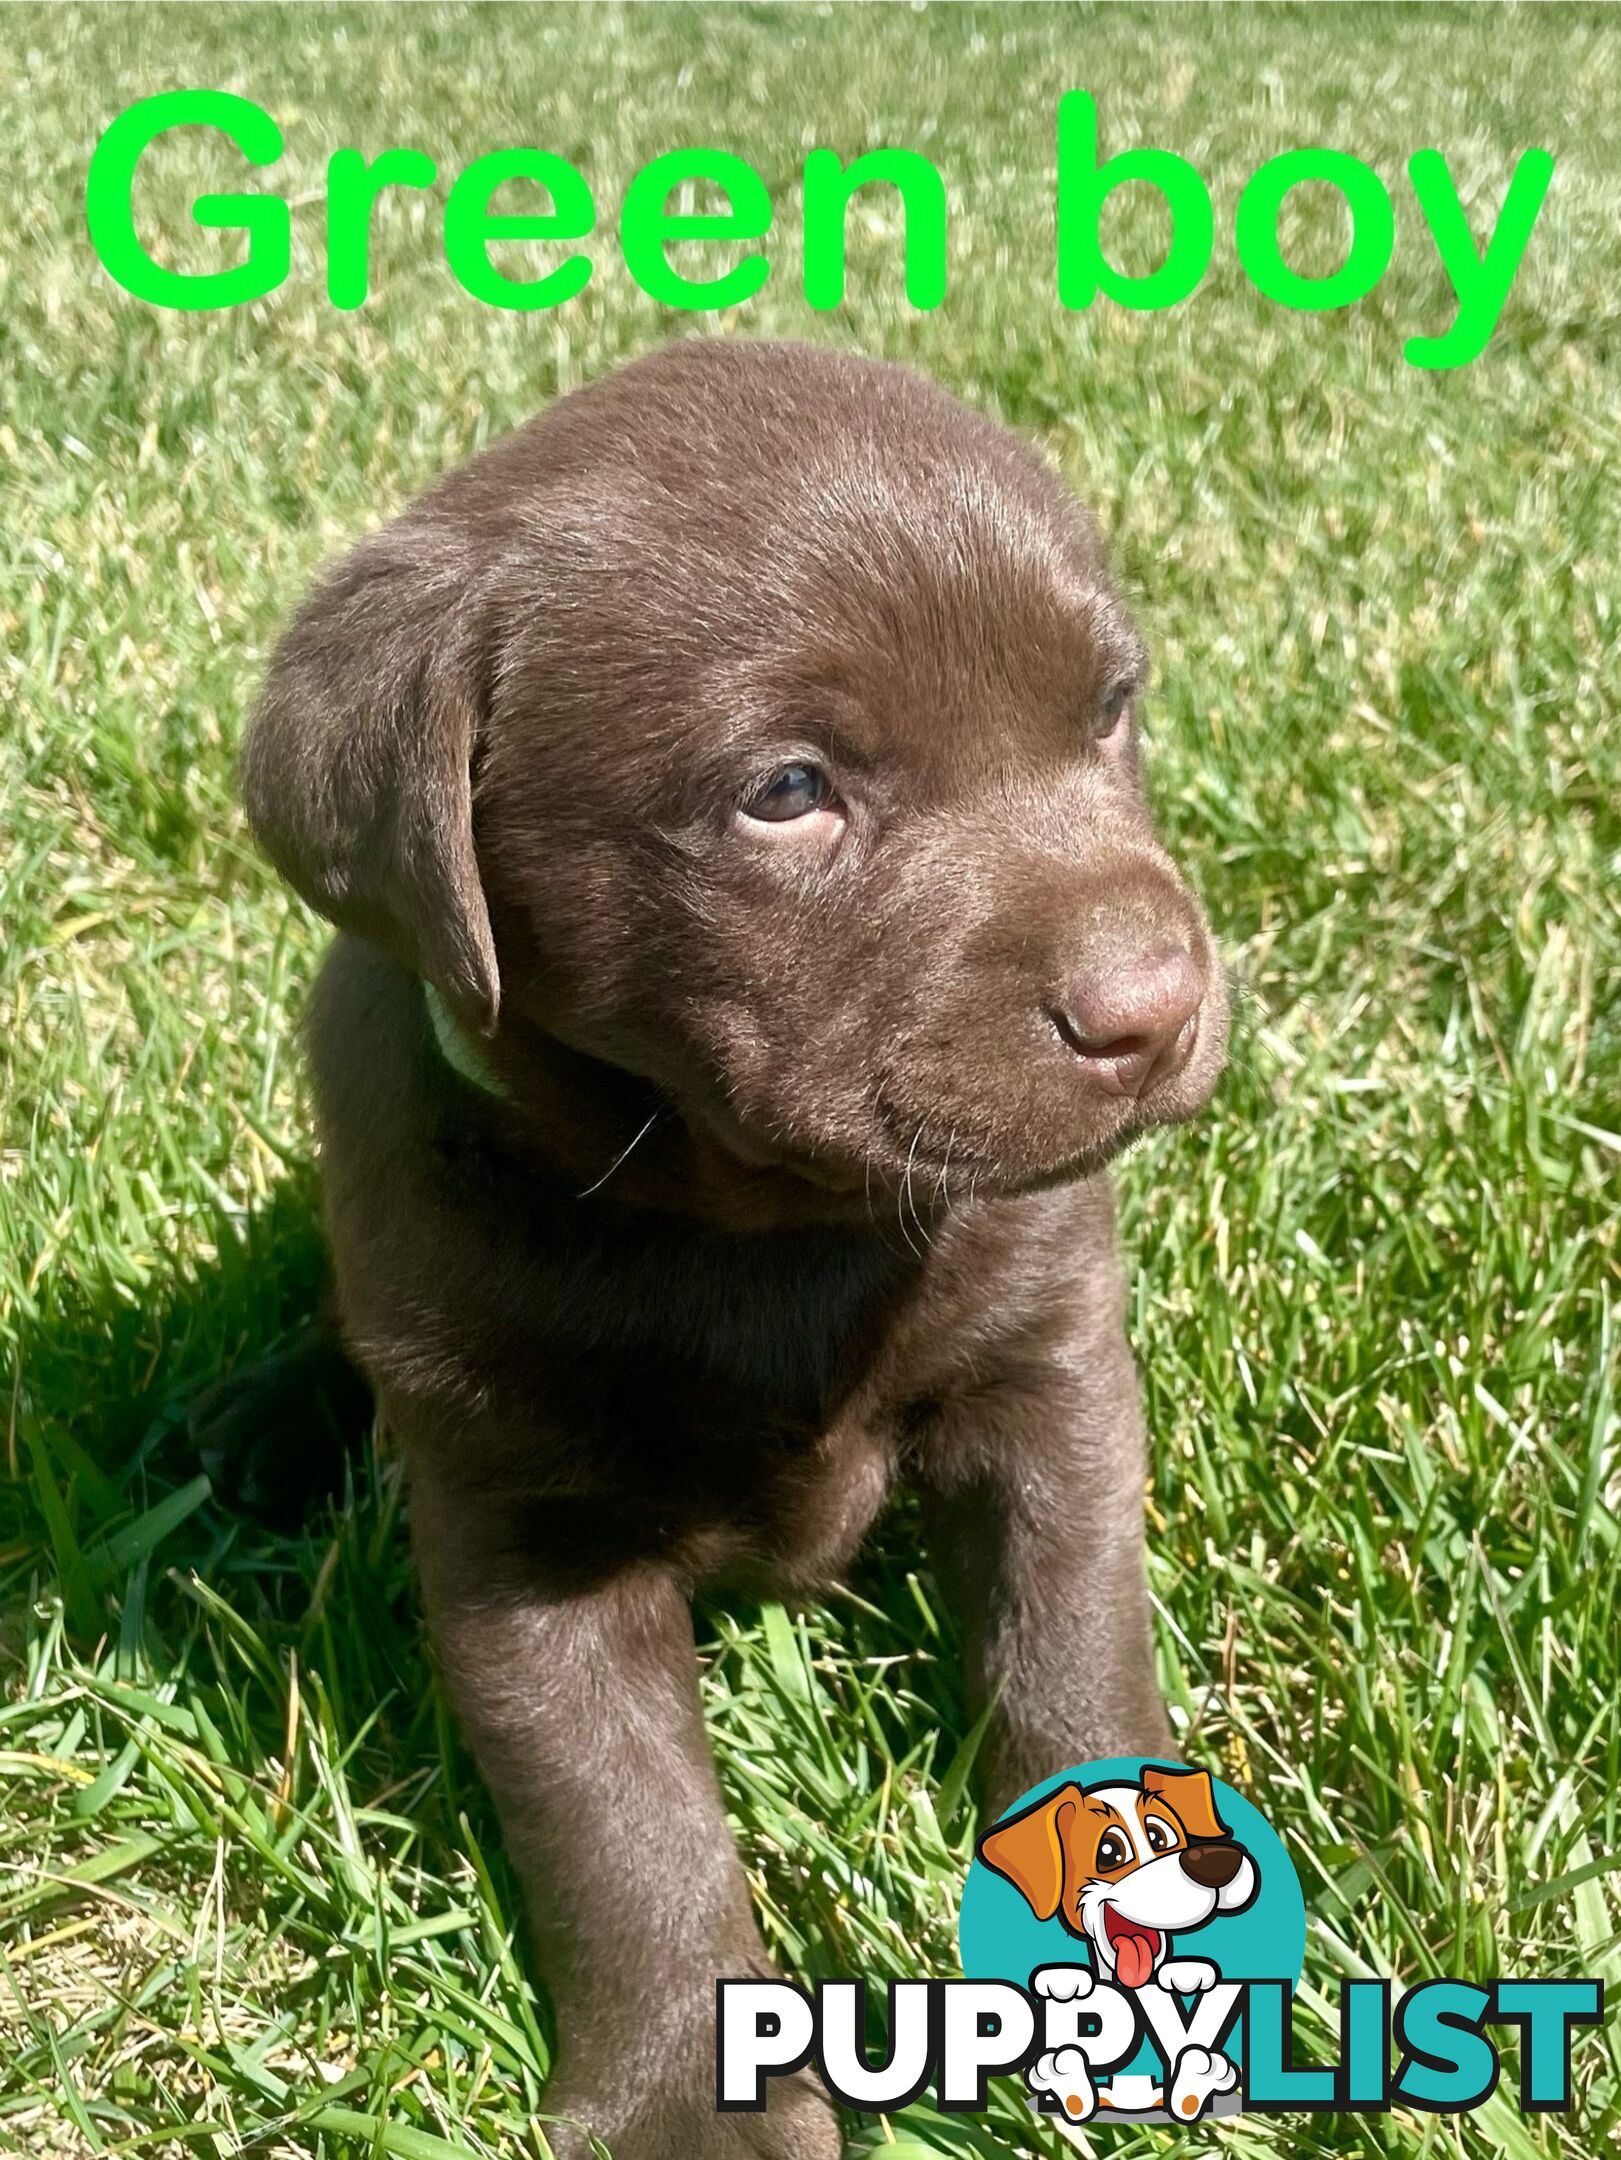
pixel 111 1513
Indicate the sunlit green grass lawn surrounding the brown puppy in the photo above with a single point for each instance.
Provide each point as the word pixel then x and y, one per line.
pixel 252 1898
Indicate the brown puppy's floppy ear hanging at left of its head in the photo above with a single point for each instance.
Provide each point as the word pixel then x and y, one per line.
pixel 358 764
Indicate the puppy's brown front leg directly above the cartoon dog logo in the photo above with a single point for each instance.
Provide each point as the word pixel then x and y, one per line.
pixel 1034 1504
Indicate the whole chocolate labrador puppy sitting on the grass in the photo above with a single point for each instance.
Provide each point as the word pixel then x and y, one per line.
pixel 753 949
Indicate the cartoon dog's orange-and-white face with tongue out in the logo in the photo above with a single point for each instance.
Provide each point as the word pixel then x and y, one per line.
pixel 1125 1867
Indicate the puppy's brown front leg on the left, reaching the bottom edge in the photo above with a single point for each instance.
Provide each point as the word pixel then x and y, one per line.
pixel 582 1710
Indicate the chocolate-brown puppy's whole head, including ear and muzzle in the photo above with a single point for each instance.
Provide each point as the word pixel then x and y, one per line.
pixel 762 723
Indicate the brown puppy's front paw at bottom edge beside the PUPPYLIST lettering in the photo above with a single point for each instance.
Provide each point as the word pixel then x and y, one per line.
pixel 799 2124
